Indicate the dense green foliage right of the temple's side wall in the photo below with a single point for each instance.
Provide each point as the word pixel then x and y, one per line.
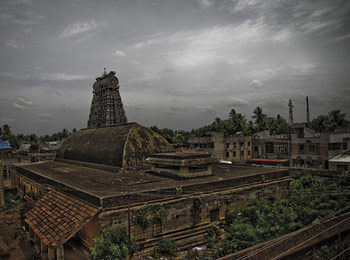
pixel 309 197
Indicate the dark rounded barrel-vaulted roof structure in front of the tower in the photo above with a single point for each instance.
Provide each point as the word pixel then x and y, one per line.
pixel 125 145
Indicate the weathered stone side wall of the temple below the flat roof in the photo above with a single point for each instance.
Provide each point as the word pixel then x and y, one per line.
pixel 181 214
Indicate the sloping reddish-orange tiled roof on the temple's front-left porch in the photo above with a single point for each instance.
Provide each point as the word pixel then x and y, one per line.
pixel 56 217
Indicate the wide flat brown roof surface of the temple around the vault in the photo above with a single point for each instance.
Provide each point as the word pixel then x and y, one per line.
pixel 95 185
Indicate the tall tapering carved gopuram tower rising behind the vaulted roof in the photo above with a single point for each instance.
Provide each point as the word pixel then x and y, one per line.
pixel 106 107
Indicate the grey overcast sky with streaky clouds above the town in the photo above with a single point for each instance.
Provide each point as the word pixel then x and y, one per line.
pixel 180 63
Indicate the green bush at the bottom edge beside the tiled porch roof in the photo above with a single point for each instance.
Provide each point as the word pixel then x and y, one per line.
pixel 112 245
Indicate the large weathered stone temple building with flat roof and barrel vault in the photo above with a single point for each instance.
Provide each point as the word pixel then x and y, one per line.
pixel 99 172
